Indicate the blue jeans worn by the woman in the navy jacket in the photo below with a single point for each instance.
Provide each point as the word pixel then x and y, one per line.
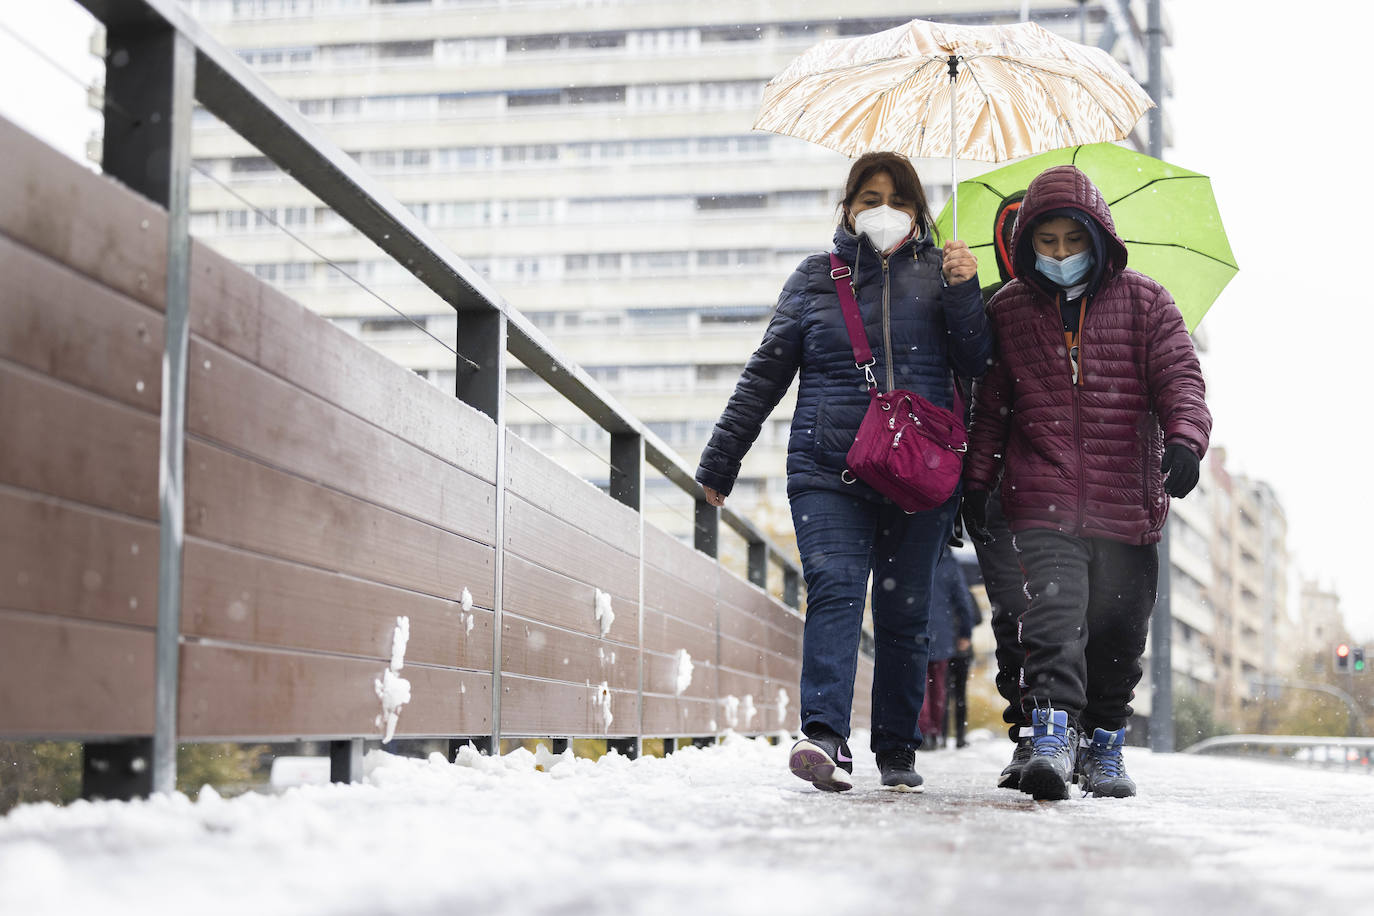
pixel 843 539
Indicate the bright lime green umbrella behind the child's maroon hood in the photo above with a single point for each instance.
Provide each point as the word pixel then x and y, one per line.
pixel 1167 218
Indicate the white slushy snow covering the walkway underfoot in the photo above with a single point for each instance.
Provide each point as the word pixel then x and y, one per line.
pixel 725 830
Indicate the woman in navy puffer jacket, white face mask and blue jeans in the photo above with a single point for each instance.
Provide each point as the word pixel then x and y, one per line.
pixel 924 314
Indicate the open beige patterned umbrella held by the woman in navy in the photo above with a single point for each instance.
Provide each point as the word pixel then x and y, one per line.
pixel 1001 91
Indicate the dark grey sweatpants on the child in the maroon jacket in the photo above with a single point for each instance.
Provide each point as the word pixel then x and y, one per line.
pixel 1085 628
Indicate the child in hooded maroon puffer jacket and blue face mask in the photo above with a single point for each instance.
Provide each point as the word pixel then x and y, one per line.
pixel 1096 410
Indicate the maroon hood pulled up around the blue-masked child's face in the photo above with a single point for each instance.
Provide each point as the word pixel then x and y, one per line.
pixel 1067 192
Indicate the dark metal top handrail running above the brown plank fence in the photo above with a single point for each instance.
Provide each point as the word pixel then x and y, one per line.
pixel 241 100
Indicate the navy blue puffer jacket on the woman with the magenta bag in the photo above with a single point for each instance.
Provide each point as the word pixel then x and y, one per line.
pixel 932 329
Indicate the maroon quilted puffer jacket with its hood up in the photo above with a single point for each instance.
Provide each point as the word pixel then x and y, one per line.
pixel 1085 459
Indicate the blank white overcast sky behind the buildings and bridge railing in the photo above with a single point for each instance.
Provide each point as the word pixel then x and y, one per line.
pixel 1280 127
